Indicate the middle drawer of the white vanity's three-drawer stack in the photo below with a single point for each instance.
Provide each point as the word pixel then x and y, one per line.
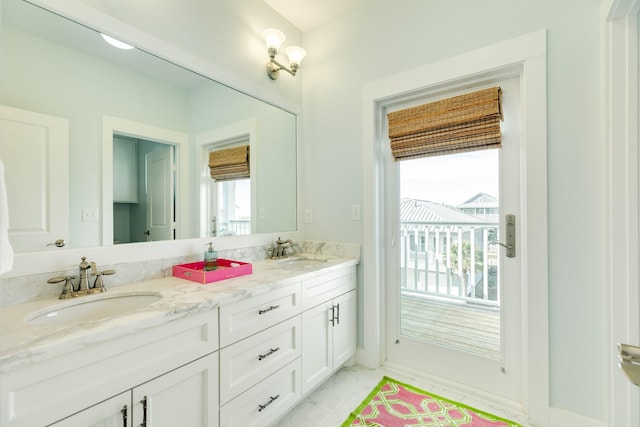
pixel 251 360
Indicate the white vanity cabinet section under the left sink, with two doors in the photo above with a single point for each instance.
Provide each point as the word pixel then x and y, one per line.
pixel 175 365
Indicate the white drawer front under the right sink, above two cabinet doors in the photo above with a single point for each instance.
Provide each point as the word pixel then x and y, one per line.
pixel 330 285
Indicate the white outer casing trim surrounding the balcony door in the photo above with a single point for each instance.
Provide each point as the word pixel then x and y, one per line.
pixel 527 54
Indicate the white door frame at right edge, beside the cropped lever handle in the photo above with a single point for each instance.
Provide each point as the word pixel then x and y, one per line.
pixel 620 250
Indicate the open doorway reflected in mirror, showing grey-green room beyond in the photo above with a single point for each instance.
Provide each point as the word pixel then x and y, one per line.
pixel 143 190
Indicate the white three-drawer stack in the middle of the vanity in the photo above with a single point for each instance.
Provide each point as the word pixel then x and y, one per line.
pixel 260 357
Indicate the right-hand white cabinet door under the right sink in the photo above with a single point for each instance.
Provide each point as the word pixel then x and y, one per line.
pixel 344 330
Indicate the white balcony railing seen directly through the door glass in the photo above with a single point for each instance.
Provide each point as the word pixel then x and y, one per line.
pixel 451 261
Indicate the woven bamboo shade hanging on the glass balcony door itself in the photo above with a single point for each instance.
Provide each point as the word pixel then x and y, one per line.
pixel 459 124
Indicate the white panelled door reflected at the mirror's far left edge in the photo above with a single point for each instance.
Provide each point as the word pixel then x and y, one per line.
pixel 37 177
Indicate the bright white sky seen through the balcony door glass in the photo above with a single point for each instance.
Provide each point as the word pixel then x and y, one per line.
pixel 451 179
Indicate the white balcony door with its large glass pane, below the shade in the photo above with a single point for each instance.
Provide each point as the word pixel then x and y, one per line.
pixel 458 322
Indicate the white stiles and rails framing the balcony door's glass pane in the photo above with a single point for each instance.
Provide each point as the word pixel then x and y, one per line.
pixel 498 379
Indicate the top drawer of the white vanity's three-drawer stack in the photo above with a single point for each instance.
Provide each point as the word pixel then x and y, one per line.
pixel 244 318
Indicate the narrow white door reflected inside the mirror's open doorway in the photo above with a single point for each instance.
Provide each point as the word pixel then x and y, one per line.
pixel 160 194
